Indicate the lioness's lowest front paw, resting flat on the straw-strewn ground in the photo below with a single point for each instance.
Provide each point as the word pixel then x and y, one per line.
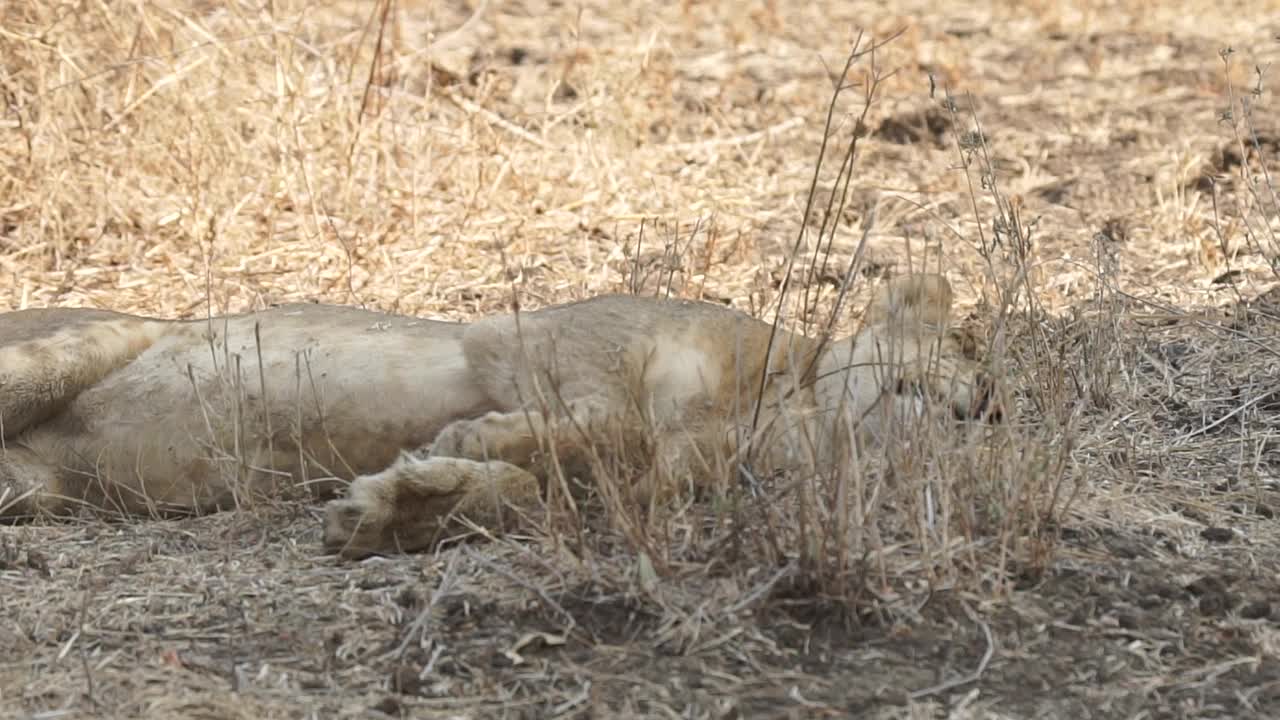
pixel 420 502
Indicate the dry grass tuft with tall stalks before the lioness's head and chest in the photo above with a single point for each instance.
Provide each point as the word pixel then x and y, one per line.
pixel 936 505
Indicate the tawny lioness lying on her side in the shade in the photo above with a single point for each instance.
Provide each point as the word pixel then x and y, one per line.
pixel 431 421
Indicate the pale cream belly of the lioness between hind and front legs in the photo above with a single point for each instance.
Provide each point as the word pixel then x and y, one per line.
pixel 199 425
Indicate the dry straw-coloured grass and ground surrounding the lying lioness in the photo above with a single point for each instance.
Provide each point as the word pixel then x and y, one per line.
pixel 1110 552
